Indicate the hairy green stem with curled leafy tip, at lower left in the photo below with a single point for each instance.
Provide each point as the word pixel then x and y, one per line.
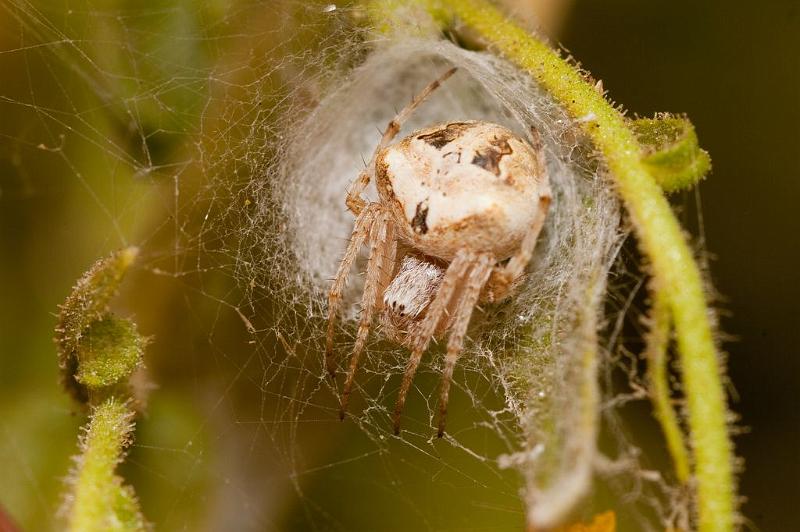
pixel 98 354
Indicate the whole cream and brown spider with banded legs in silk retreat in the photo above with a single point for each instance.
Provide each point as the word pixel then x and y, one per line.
pixel 460 207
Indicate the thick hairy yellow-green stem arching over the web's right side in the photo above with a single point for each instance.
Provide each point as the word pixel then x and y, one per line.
pixel 675 273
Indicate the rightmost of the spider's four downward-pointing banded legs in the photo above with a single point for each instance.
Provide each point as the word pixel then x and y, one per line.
pixel 469 298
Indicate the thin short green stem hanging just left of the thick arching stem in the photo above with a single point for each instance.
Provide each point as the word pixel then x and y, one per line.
pixel 657 374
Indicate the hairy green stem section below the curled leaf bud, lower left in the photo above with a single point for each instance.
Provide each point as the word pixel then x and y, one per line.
pixel 101 502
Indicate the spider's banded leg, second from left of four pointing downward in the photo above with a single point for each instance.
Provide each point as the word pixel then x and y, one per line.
pixel 379 268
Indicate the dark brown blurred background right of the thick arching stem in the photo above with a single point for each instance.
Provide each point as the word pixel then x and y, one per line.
pixel 734 68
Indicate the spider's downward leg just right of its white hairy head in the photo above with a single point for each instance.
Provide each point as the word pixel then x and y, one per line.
pixel 436 312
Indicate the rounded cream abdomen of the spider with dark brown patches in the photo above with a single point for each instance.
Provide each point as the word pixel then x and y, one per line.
pixel 472 185
